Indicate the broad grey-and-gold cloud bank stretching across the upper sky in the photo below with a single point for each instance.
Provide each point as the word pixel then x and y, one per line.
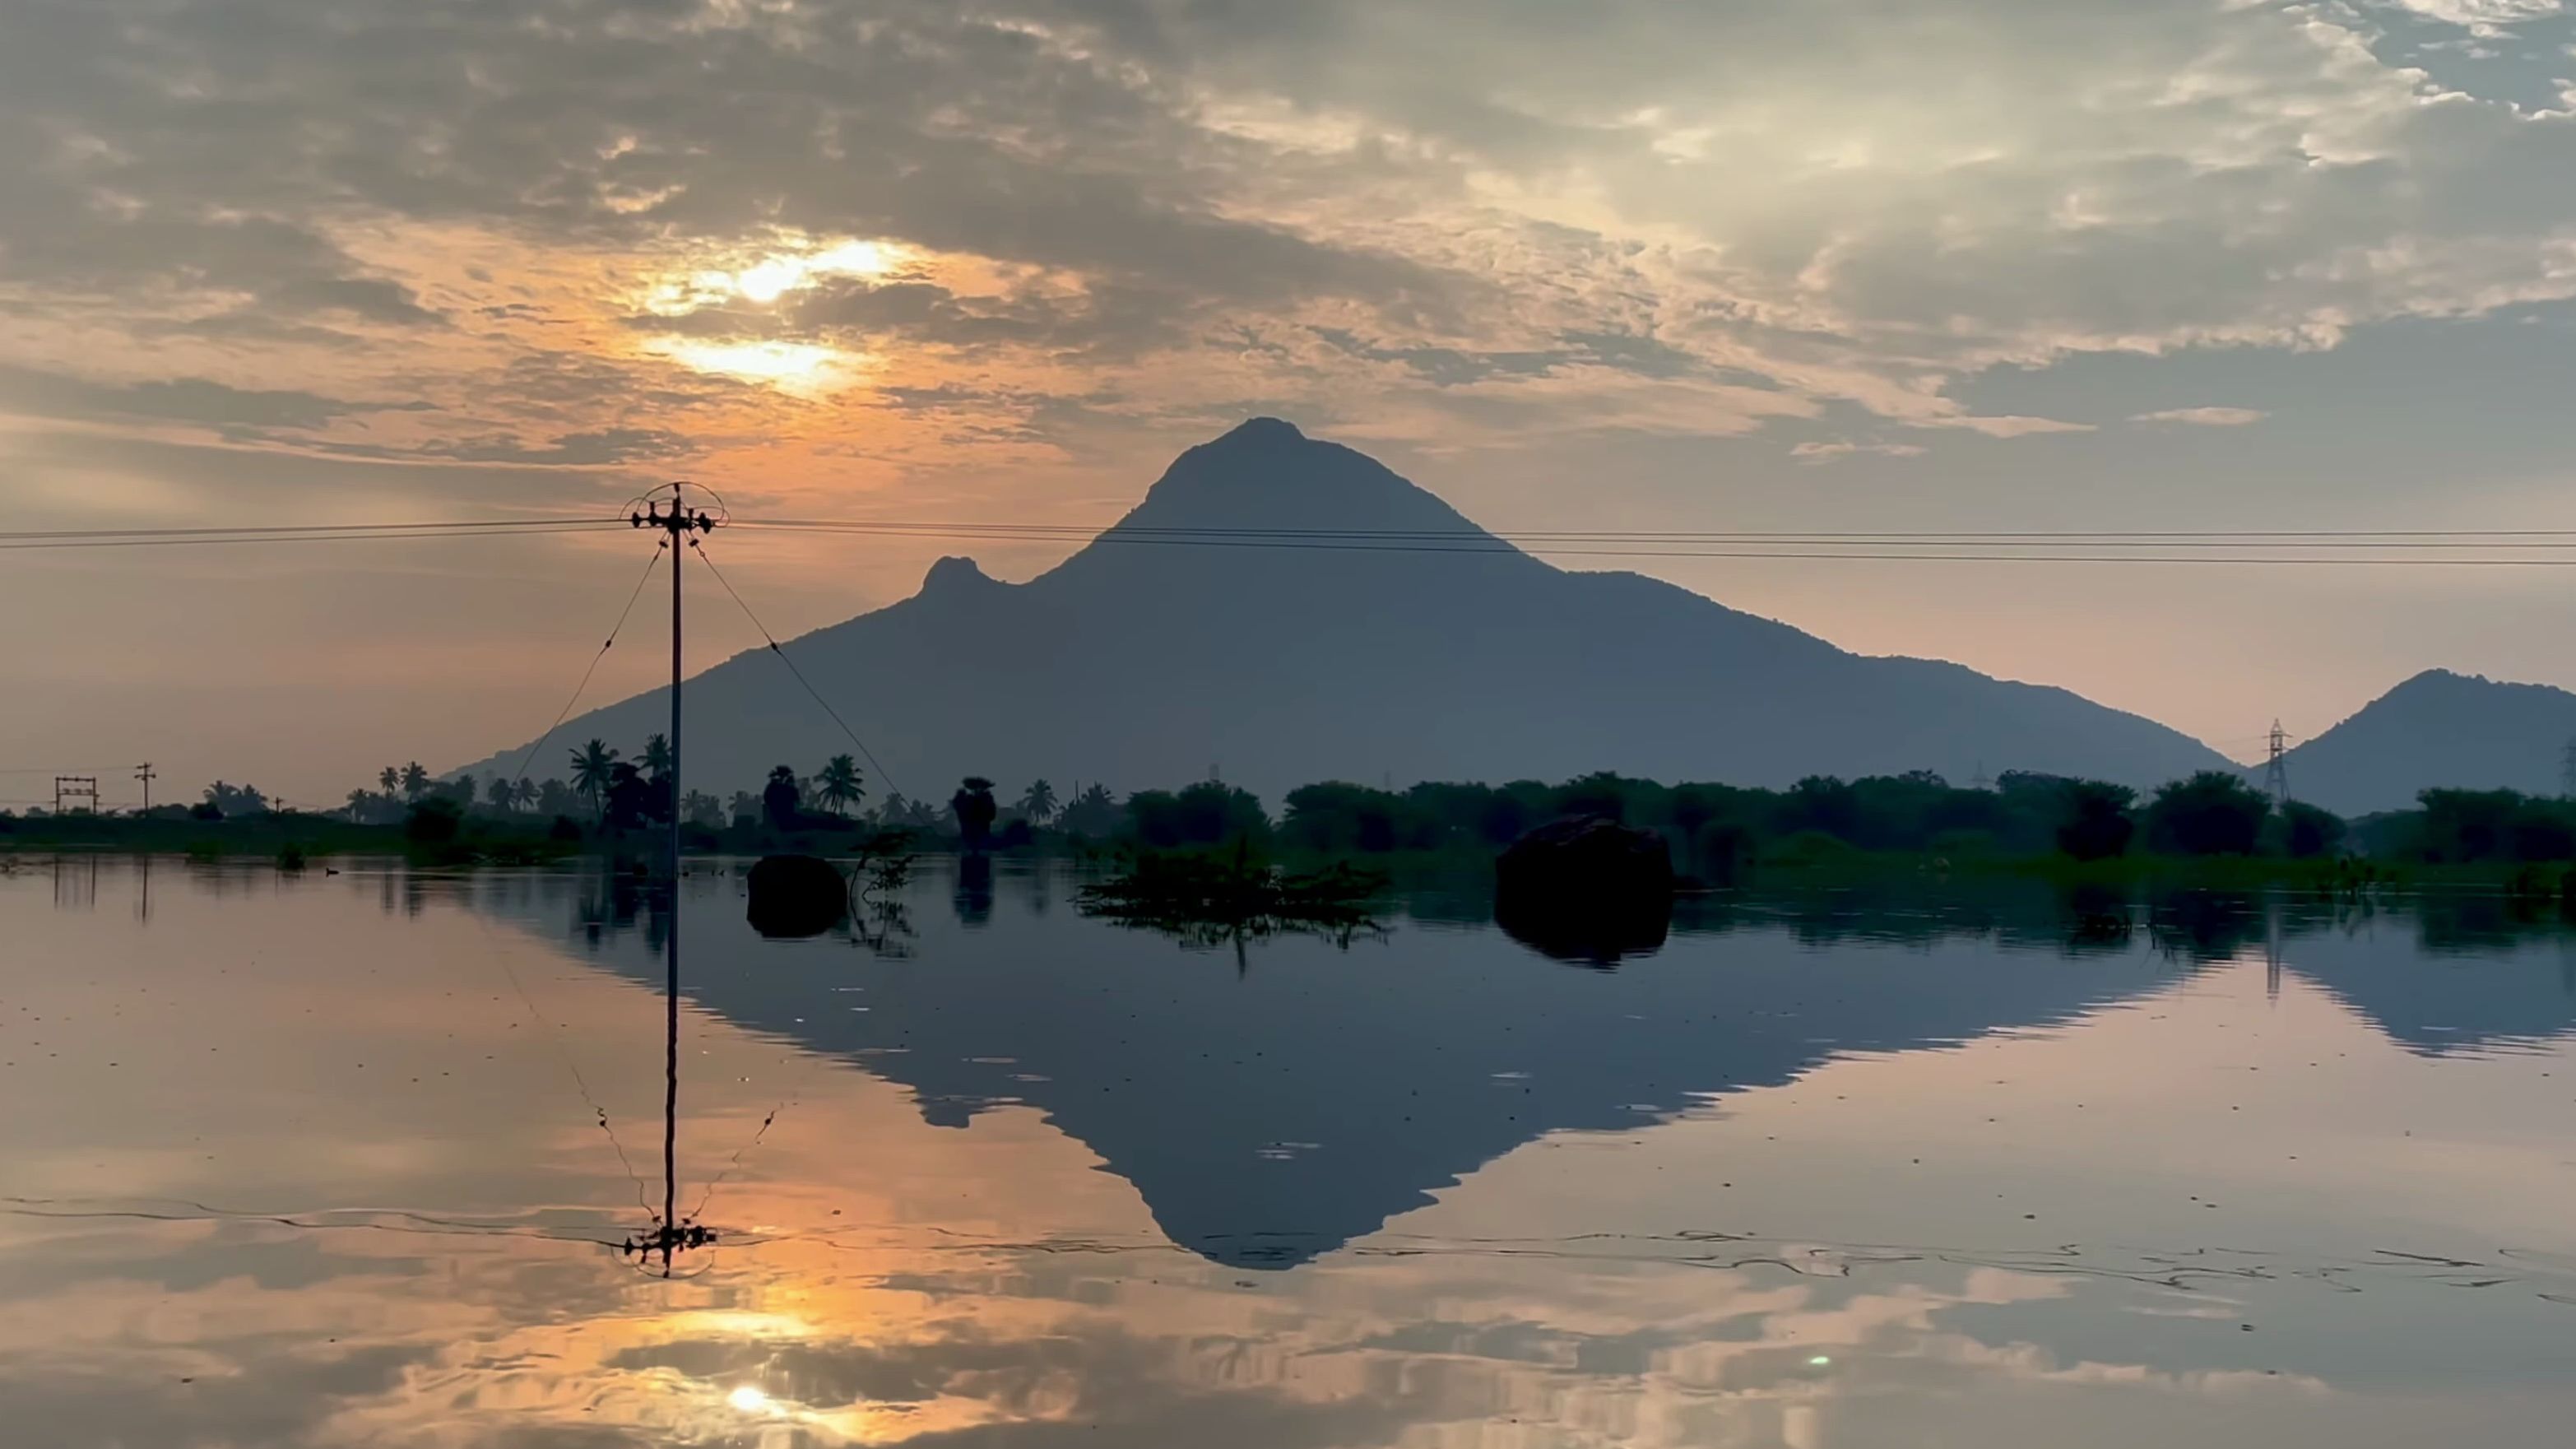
pixel 1423 218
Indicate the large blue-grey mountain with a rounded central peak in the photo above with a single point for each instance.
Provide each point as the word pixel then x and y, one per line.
pixel 1212 628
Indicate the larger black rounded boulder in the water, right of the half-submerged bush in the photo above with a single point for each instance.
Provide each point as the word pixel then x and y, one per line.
pixel 1586 891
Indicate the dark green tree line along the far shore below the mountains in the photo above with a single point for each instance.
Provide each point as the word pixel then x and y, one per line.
pixel 1712 826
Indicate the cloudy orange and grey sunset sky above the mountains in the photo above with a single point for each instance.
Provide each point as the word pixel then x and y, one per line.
pixel 1627 264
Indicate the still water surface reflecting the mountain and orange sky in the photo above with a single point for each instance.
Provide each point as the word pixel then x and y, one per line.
pixel 349 1159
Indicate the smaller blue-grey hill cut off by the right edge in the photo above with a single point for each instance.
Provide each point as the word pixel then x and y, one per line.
pixel 2438 731
